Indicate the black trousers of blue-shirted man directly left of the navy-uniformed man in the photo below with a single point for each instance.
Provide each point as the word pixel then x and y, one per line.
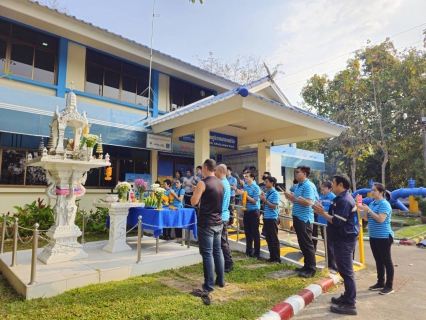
pixel 304 237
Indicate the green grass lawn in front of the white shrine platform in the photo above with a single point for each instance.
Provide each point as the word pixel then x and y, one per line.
pixel 248 294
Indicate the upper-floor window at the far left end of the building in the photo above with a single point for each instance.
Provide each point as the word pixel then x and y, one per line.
pixel 28 53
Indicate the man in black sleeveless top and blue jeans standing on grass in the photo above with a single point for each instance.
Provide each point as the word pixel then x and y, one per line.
pixel 209 192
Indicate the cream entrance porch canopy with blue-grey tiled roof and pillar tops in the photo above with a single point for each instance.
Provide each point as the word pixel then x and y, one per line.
pixel 258 114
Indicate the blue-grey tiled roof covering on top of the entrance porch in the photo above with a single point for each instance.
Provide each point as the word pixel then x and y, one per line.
pixel 244 92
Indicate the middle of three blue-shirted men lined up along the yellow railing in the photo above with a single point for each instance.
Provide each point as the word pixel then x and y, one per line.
pixel 271 200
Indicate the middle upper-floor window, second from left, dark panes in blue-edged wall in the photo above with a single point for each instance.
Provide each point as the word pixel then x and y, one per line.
pixel 116 79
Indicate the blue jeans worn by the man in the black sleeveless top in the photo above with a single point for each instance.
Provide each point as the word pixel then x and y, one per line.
pixel 209 242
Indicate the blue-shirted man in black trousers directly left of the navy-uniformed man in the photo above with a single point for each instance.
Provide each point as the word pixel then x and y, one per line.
pixel 303 219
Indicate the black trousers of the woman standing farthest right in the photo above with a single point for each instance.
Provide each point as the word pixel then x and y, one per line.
pixel 382 254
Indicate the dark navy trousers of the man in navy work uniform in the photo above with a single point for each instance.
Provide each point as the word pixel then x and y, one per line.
pixel 343 252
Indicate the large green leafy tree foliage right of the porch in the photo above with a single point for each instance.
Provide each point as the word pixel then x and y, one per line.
pixel 379 95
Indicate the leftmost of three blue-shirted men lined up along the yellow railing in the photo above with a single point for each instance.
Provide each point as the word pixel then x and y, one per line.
pixel 251 215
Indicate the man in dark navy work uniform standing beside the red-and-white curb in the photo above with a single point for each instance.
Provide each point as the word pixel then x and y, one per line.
pixel 342 230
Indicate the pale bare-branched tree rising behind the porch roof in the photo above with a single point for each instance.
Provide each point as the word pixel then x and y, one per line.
pixel 244 69
